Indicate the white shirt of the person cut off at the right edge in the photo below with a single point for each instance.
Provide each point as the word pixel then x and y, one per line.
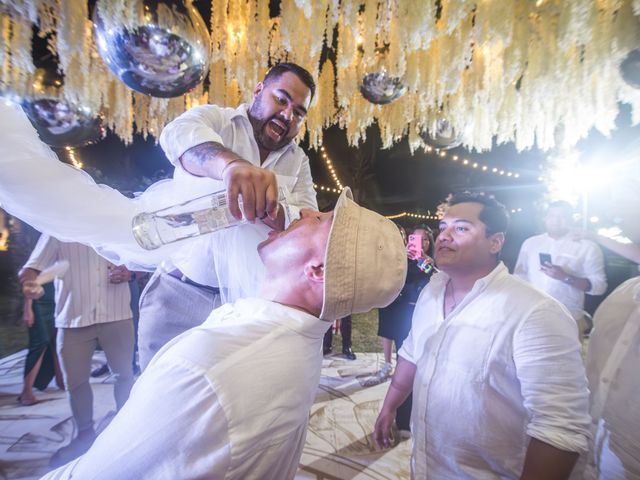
pixel 612 368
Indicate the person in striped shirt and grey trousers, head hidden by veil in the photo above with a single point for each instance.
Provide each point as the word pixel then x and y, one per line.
pixel 92 305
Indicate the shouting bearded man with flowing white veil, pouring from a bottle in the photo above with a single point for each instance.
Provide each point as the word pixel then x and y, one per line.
pixel 248 151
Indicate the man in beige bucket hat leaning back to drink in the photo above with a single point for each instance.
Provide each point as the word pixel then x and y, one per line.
pixel 224 400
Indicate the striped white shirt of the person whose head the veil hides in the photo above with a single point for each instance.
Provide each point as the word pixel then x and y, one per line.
pixel 84 295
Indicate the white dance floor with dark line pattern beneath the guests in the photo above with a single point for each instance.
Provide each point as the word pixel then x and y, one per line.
pixel 338 442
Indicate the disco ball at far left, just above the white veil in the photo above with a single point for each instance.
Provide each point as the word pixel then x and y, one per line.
pixel 59 123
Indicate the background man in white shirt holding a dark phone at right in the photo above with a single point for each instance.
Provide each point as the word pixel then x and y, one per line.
pixel 561 265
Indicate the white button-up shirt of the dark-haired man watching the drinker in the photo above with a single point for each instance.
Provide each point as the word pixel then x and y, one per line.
pixel 504 365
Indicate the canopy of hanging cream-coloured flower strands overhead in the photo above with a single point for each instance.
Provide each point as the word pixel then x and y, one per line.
pixel 539 72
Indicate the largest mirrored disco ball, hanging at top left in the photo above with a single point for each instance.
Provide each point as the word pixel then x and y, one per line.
pixel 163 52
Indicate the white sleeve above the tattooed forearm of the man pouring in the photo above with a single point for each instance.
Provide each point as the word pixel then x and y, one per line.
pixel 195 126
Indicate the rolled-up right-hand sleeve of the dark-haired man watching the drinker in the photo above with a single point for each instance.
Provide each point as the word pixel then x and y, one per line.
pixel 553 380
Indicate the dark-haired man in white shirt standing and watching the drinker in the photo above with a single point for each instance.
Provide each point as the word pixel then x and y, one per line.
pixel 499 388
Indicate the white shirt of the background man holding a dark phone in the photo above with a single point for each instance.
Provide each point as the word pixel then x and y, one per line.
pixel 580 258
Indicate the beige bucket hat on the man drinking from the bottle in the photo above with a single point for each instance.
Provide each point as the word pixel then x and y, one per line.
pixel 365 263
